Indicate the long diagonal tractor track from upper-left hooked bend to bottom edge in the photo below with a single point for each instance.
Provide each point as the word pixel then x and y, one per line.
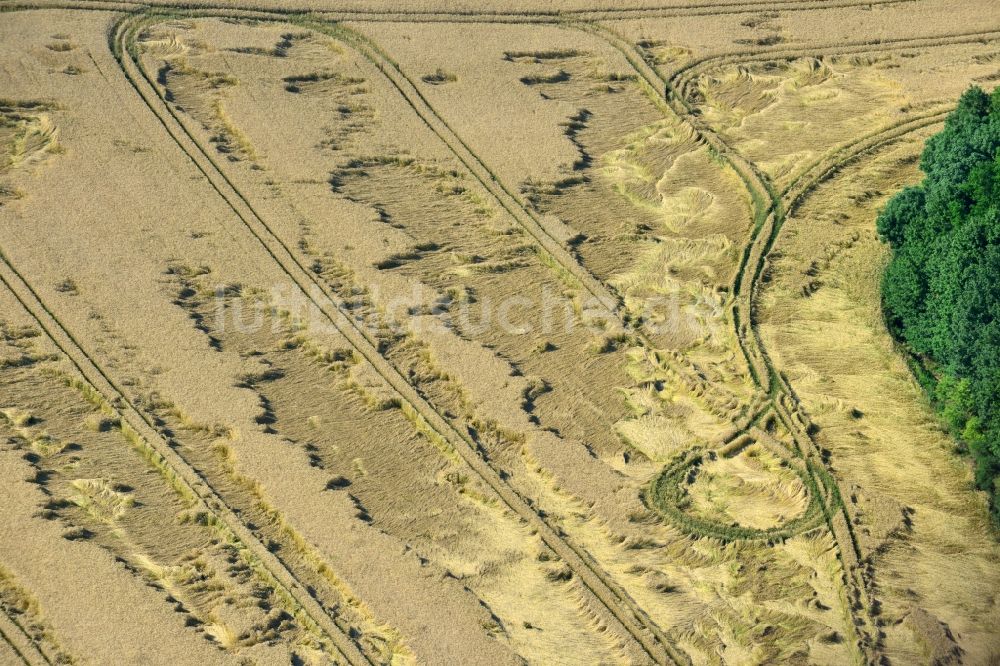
pixel 631 617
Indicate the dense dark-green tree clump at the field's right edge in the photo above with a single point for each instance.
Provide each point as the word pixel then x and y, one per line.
pixel 941 291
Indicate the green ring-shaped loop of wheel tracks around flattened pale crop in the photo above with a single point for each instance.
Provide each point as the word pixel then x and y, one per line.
pixel 668 495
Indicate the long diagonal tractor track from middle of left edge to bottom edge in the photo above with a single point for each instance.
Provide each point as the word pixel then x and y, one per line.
pixel 97 383
